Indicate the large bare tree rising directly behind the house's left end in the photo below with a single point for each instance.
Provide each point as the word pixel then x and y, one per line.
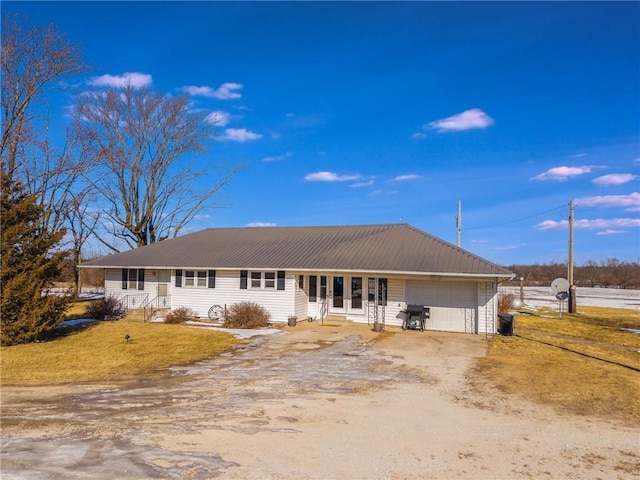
pixel 143 144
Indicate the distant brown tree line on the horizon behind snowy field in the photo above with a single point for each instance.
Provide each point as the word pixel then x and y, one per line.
pixel 610 273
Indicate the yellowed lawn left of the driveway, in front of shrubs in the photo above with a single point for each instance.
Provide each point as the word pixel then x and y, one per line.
pixel 100 352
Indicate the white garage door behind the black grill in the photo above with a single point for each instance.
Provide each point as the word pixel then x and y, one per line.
pixel 453 305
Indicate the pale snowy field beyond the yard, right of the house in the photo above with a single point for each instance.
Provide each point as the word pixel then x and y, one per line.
pixel 537 297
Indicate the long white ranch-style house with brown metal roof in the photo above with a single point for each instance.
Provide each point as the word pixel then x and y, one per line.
pixel 359 273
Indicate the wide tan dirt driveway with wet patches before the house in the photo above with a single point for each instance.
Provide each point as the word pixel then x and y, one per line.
pixel 313 402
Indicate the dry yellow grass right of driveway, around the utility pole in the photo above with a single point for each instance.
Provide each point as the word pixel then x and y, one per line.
pixel 550 361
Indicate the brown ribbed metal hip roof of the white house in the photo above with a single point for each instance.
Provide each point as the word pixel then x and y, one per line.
pixel 391 248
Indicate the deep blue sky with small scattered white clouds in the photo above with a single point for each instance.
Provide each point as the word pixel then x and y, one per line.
pixel 363 113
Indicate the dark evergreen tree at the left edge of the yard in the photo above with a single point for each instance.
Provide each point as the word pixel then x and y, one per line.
pixel 30 264
